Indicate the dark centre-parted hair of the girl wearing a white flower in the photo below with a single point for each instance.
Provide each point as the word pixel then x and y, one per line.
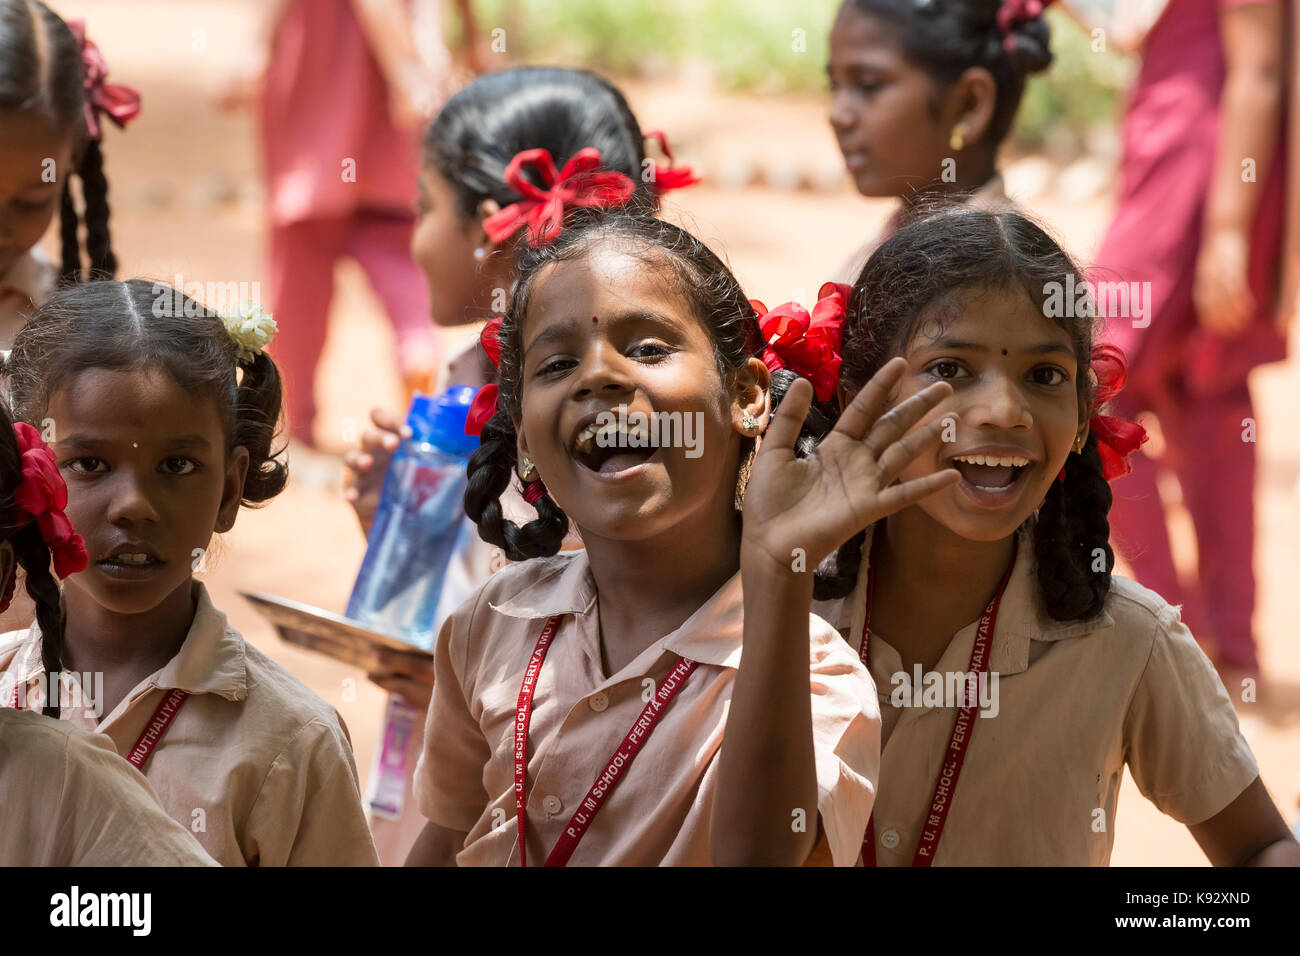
pixel 141 325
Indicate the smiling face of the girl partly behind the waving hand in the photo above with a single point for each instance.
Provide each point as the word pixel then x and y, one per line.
pixel 1015 377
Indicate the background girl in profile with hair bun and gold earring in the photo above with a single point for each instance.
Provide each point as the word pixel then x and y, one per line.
pixel 925 92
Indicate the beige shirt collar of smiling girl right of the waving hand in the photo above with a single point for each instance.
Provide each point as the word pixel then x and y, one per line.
pixel 1021 617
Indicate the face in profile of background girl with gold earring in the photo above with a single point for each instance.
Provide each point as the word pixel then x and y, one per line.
pixel 882 110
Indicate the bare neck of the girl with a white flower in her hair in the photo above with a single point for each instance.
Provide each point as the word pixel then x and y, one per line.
pixel 136 646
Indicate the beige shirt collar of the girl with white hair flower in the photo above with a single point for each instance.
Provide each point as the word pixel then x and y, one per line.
pixel 213 659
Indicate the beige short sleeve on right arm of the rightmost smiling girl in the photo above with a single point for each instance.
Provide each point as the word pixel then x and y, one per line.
pixel 1182 739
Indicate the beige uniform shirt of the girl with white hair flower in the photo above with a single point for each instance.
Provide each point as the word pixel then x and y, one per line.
pixel 258 767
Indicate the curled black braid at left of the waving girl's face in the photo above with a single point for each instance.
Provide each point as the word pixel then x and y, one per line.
pixel 491 470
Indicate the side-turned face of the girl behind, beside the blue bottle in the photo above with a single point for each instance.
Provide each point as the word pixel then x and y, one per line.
pixel 462 289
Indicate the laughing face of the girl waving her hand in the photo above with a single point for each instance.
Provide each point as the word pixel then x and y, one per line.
pixel 609 331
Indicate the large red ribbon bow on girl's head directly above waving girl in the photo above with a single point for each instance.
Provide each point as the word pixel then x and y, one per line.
pixel 580 183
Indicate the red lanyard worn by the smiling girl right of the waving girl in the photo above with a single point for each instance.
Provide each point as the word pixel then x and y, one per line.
pixel 955 755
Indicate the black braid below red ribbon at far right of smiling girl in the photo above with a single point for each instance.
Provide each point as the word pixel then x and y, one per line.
pixel 1072 527
